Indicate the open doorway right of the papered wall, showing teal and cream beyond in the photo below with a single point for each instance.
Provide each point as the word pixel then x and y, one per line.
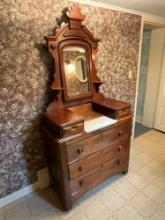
pixel 149 77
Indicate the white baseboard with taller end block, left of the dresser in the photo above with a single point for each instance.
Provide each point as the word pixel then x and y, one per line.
pixel 42 183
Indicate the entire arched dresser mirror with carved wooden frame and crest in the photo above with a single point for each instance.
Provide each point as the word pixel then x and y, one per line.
pixel 74 50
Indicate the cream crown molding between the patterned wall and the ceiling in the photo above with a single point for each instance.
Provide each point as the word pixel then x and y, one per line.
pixel 148 18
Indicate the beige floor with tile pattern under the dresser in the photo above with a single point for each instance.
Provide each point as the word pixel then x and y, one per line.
pixel 139 195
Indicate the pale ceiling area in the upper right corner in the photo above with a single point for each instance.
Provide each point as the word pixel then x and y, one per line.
pixel 155 7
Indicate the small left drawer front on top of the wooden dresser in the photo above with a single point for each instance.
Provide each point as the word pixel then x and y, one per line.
pixel 73 129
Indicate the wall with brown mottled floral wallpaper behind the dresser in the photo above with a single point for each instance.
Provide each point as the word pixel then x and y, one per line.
pixel 25 73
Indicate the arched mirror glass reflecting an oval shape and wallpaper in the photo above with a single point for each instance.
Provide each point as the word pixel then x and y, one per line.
pixel 76 70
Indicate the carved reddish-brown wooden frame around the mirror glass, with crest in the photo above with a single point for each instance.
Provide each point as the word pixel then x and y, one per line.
pixel 73 33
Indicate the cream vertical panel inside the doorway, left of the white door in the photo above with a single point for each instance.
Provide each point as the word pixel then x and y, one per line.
pixel 153 76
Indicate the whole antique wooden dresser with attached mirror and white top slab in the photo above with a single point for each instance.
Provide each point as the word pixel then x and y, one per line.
pixel 80 158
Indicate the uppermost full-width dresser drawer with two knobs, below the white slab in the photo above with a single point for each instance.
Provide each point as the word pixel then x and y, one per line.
pixel 97 142
